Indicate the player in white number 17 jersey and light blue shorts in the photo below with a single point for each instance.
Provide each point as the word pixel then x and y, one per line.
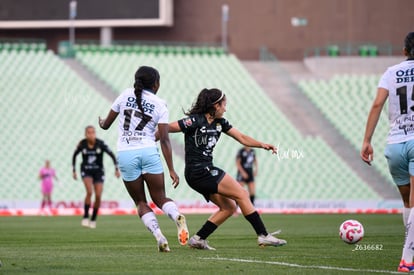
pixel 141 112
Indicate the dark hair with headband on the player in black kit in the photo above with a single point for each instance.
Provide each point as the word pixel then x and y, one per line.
pixel 205 102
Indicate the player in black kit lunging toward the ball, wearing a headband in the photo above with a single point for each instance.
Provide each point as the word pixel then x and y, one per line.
pixel 202 129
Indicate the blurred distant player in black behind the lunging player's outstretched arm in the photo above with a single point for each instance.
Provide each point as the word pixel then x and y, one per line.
pixel 247 167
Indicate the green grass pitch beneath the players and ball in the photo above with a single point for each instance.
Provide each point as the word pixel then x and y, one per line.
pixel 122 245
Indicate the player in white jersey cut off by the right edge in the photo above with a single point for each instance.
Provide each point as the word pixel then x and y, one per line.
pixel 397 84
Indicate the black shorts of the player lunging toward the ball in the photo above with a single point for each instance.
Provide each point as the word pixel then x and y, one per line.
pixel 204 179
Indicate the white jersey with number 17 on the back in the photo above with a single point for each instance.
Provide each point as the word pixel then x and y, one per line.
pixel 137 130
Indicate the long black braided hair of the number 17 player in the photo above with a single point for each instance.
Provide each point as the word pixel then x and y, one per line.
pixel 145 78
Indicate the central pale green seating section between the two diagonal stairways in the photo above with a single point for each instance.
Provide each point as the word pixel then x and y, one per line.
pixel 296 173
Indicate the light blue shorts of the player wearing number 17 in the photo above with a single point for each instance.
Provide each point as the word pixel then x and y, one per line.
pixel 134 163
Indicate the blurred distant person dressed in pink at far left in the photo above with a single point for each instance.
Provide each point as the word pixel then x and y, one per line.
pixel 46 175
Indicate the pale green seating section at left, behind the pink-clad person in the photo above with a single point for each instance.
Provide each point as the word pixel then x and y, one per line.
pixel 45 107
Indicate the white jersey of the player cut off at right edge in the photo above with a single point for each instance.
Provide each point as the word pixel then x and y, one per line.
pixel 398 80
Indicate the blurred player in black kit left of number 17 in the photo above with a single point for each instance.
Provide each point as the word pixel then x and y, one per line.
pixel 92 171
